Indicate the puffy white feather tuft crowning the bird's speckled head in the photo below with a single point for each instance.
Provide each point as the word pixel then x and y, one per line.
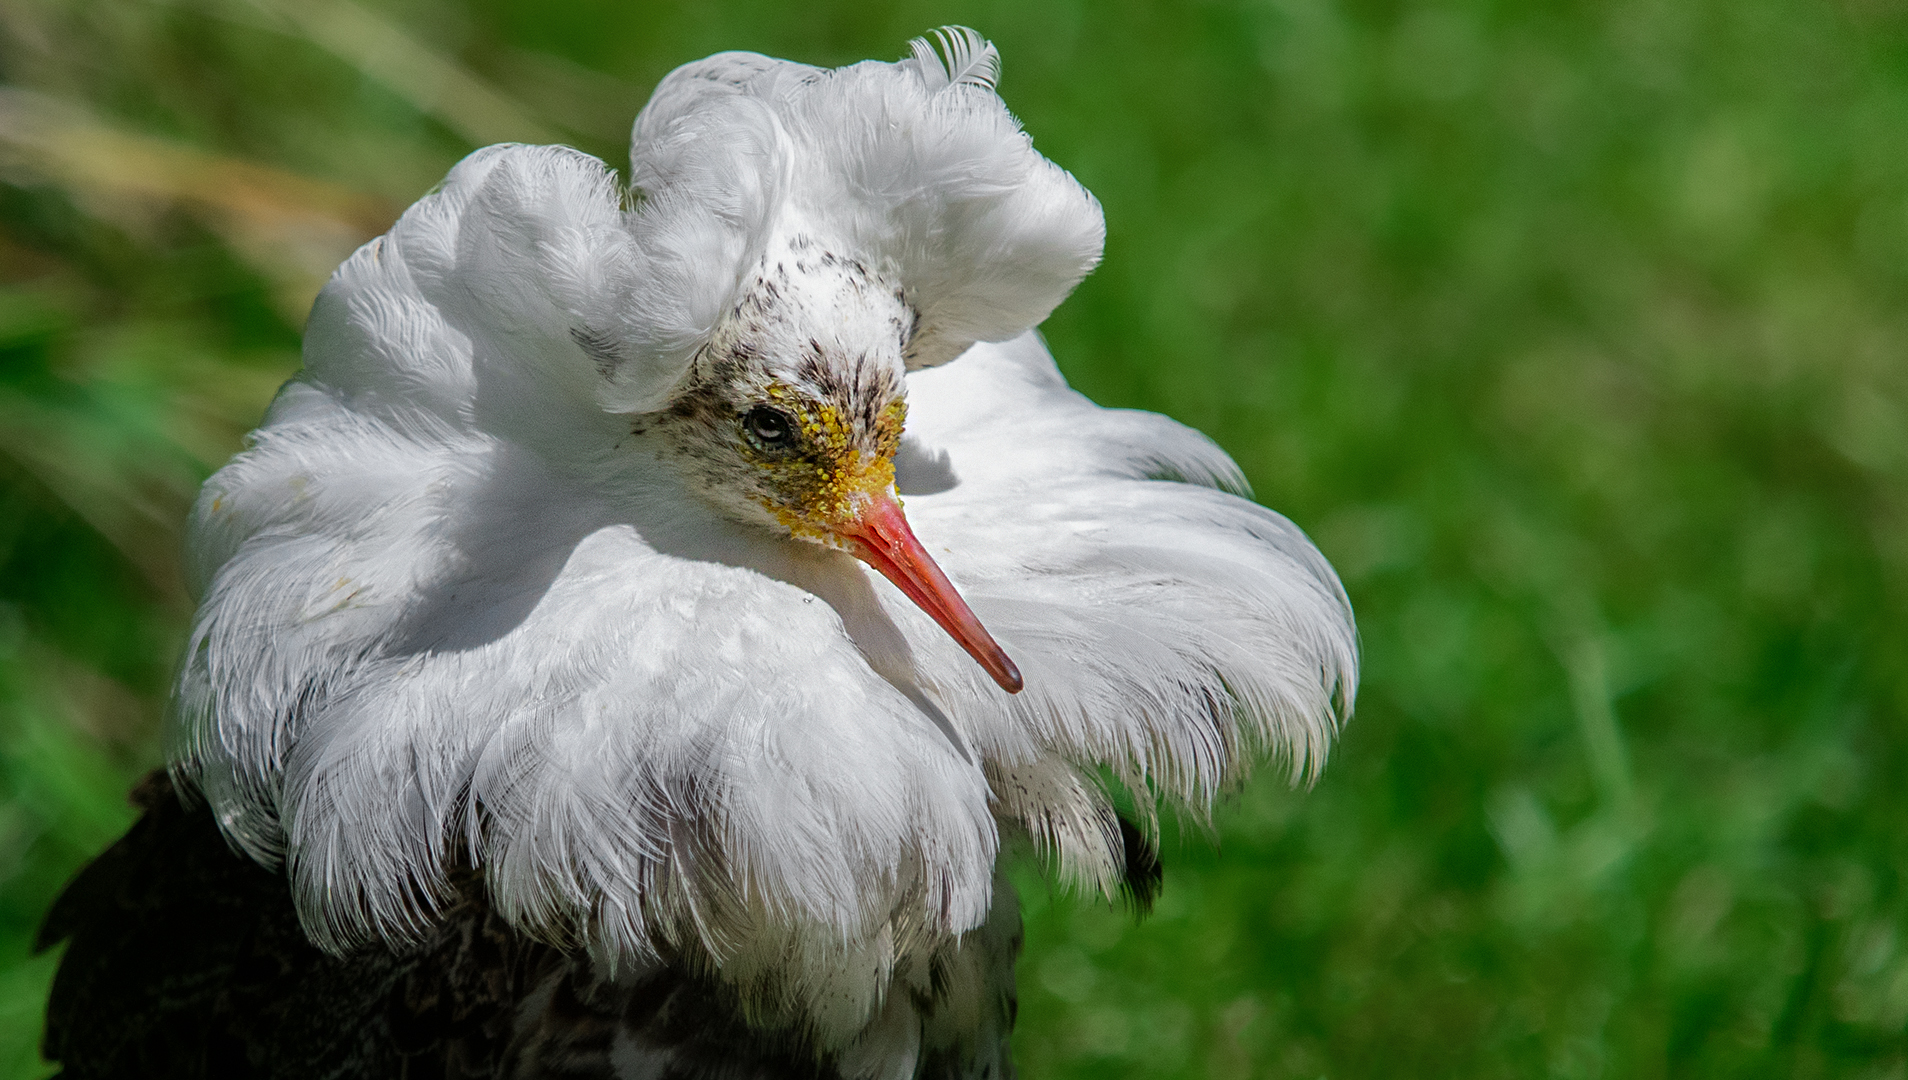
pixel 938 192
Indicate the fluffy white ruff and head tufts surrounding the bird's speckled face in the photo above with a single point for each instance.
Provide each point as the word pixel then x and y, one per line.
pixel 451 608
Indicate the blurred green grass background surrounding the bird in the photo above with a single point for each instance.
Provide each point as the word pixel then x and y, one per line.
pixel 1571 331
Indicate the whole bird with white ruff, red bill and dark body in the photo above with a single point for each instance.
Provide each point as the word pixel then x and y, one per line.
pixel 638 638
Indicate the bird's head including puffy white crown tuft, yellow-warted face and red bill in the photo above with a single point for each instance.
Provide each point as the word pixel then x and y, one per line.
pixel 808 238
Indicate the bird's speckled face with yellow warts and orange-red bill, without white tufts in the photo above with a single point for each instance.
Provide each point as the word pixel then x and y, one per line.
pixel 793 413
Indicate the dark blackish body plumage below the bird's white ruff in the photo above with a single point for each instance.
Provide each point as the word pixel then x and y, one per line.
pixel 186 961
